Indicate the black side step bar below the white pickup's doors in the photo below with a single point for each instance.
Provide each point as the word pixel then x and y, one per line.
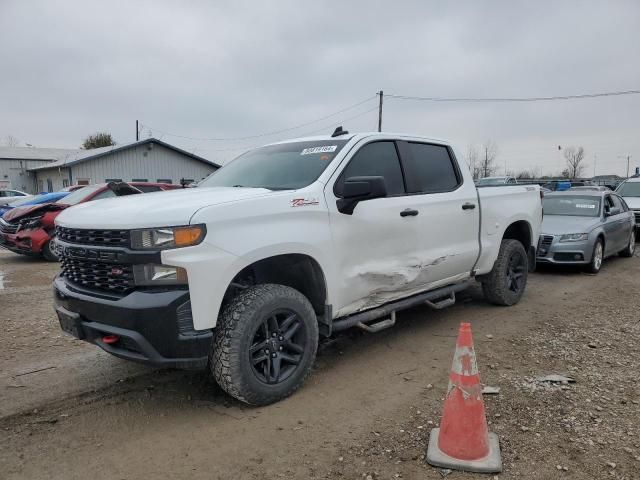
pixel 438 298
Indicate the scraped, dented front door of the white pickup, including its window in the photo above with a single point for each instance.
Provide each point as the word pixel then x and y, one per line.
pixel 375 250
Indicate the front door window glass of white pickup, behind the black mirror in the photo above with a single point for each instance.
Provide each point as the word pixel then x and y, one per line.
pixel 375 159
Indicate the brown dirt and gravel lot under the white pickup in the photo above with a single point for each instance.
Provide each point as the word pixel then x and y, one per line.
pixel 71 411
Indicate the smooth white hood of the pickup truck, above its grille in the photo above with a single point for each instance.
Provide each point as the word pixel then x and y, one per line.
pixel 168 208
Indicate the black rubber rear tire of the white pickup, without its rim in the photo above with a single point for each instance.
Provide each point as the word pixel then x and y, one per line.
pixel 495 283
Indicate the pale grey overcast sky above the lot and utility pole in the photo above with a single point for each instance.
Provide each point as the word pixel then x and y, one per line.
pixel 236 69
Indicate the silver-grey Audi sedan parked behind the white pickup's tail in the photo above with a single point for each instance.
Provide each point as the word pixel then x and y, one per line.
pixel 584 228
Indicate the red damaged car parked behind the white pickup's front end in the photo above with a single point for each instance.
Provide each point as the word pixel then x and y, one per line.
pixel 29 229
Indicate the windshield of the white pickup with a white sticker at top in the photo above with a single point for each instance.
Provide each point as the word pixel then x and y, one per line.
pixel 286 166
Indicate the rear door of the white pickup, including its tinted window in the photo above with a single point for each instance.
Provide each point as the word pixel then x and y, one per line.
pixel 448 211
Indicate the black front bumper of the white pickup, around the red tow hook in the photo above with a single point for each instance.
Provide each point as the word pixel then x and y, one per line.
pixel 153 327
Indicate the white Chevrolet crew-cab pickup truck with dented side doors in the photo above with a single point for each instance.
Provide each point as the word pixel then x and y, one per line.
pixel 286 243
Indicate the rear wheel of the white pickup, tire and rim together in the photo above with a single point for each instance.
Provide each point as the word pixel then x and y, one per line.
pixel 506 282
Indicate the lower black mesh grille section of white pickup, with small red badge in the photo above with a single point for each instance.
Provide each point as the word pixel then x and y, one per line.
pixel 110 277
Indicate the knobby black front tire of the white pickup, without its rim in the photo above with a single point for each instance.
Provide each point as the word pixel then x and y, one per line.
pixel 229 359
